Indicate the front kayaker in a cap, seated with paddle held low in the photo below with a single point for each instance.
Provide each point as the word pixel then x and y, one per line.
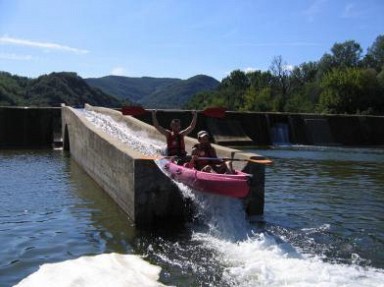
pixel 204 149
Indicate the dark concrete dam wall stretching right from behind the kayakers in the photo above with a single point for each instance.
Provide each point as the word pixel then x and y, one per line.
pixel 304 129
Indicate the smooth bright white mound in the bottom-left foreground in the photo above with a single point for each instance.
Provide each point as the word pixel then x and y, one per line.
pixel 97 271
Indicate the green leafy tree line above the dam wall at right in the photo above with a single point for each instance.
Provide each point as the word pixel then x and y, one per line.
pixel 343 81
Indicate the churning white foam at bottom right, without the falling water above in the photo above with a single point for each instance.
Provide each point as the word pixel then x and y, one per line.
pixel 260 261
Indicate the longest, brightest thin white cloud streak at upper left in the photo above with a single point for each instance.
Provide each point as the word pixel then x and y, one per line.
pixel 5 40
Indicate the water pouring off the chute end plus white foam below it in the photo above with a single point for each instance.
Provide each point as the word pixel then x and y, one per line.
pixel 257 259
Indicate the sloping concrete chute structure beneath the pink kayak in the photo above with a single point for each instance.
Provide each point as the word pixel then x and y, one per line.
pixel 135 183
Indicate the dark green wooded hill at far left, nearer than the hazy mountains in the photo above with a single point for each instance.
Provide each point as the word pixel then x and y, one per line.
pixel 51 90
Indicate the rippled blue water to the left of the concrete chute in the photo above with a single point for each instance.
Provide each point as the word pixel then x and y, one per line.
pixel 50 211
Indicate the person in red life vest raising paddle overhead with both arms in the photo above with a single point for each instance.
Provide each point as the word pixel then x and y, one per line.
pixel 175 136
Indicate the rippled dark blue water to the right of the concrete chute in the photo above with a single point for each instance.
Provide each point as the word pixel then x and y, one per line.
pixel 331 198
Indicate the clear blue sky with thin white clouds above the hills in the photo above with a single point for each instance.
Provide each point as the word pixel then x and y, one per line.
pixel 176 38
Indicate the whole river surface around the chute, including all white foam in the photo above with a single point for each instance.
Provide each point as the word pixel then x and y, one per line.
pixel 323 226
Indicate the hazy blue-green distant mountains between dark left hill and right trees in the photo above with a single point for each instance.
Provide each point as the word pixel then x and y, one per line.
pixel 154 92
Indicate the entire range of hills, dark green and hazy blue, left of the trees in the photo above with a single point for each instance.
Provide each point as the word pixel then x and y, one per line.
pixel 111 91
